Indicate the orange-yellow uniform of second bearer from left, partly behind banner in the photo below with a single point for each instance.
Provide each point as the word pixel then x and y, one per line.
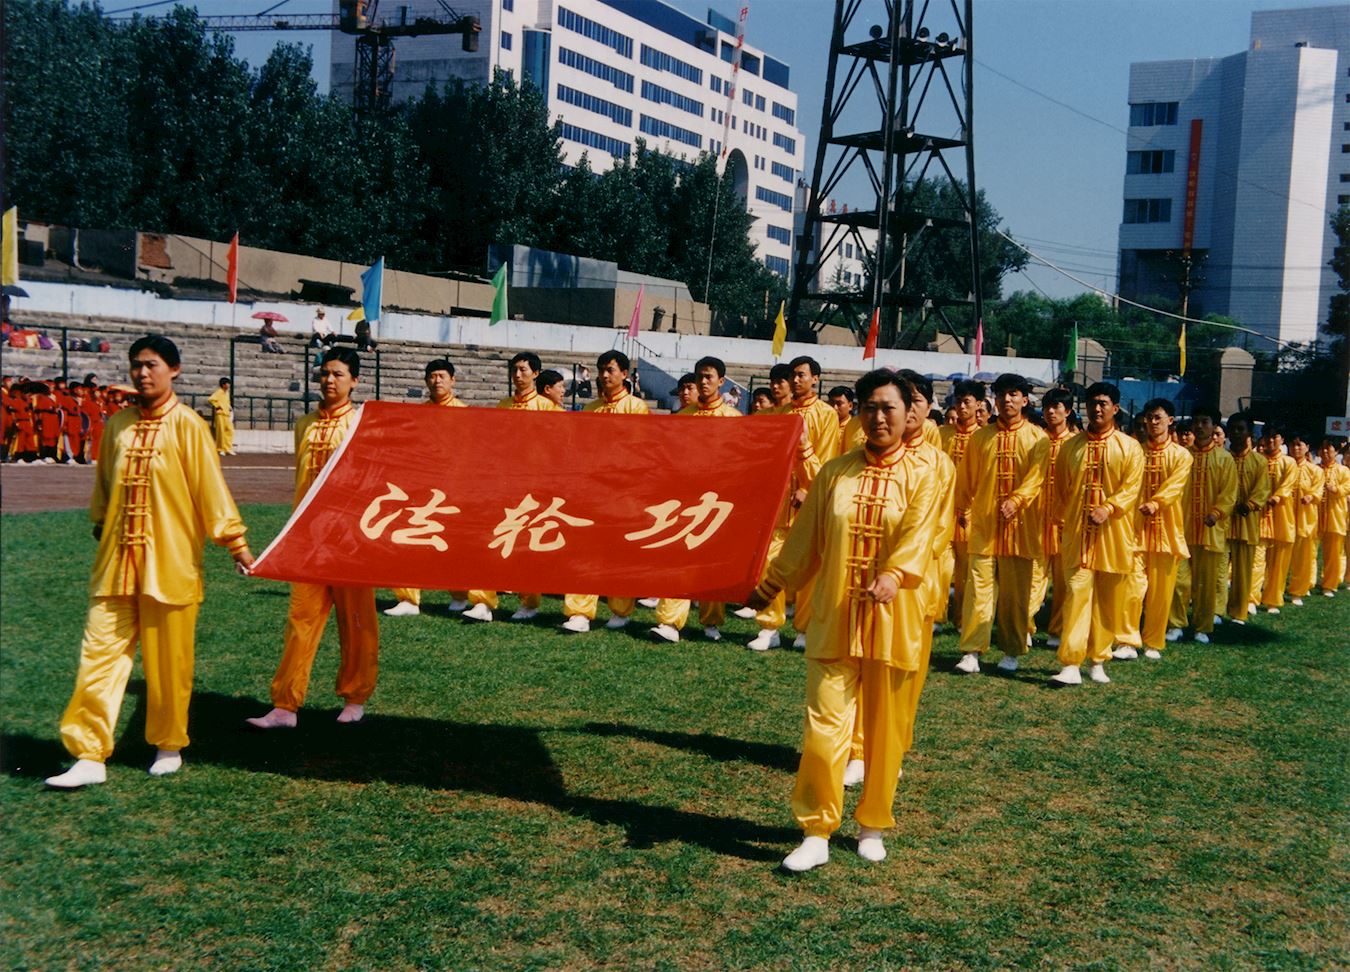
pixel 318 437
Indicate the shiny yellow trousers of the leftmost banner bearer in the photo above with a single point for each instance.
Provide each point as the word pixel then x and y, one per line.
pixel 113 628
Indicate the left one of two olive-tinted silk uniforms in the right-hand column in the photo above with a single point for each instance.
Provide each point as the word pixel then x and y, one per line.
pixel 1212 491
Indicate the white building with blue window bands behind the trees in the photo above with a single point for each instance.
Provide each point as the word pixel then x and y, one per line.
pixel 616 71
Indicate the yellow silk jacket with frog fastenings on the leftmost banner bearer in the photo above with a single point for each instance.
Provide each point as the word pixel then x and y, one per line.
pixel 160 496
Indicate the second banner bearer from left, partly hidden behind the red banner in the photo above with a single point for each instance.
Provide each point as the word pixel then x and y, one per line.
pixel 318 437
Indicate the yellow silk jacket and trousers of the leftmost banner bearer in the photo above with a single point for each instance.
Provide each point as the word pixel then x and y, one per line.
pixel 160 496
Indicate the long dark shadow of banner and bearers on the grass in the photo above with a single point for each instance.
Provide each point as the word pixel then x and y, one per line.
pixel 499 761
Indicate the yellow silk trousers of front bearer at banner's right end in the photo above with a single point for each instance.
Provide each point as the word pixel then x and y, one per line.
pixel 834 691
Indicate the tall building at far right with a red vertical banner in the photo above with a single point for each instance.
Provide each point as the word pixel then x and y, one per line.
pixel 1267 137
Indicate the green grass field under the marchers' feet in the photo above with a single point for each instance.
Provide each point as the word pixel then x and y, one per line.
pixel 523 799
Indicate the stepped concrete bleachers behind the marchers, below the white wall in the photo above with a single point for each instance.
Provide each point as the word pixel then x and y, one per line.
pixel 269 388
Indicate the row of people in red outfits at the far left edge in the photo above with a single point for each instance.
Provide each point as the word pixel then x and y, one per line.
pixel 55 422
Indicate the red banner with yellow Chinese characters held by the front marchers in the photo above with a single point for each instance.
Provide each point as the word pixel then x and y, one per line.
pixel 542 502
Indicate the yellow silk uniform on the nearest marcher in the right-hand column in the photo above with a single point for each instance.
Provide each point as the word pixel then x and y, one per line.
pixel 1091 472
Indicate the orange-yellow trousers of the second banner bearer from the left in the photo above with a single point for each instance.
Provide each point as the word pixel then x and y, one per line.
pixel 358 642
